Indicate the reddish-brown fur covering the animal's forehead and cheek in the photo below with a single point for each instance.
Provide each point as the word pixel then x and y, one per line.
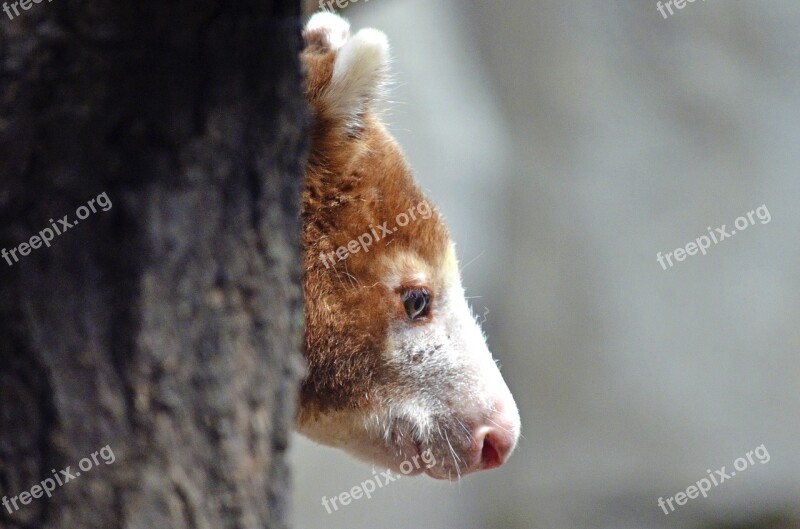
pixel 354 177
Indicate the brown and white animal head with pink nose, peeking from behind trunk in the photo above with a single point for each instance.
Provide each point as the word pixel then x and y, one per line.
pixel 398 366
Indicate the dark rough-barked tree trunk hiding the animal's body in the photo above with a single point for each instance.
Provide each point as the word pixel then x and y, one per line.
pixel 168 327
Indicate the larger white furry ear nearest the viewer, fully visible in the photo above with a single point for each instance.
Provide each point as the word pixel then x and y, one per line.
pixel 359 75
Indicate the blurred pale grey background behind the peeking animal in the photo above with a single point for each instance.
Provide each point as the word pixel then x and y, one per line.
pixel 567 143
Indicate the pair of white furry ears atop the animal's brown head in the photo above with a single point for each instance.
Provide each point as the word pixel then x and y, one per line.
pixel 358 72
